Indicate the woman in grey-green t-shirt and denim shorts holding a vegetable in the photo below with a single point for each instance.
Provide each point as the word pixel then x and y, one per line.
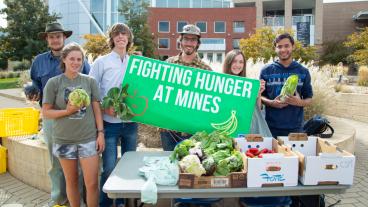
pixel 77 130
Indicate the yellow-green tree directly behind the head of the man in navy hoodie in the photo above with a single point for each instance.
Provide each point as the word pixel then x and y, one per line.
pixel 259 47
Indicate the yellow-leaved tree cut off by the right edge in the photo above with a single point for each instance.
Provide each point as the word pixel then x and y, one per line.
pixel 359 43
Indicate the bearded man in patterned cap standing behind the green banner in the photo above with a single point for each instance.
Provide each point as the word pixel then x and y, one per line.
pixel 189 40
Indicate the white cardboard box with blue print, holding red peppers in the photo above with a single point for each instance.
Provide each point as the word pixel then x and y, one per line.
pixel 277 169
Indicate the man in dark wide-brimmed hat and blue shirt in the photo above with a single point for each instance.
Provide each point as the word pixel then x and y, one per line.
pixel 44 67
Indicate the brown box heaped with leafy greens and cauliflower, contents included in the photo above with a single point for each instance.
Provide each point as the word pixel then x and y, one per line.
pixel 209 161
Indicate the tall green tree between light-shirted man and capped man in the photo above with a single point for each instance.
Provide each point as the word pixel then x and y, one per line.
pixel 136 15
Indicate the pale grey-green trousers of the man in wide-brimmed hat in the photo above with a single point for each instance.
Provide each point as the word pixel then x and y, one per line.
pixel 58 188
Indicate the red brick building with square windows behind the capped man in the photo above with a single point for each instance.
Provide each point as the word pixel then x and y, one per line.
pixel 221 28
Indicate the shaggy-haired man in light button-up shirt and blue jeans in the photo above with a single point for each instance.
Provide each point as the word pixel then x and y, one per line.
pixel 109 71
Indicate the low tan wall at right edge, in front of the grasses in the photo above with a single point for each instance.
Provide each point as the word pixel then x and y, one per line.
pixel 350 105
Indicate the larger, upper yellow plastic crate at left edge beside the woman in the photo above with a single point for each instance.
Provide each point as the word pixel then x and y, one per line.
pixel 18 121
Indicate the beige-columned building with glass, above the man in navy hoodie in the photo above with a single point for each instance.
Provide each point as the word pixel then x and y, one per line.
pixel 305 17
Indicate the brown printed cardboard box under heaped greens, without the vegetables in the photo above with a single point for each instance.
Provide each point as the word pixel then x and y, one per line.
pixel 233 180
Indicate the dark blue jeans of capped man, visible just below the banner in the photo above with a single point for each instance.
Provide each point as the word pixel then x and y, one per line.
pixel 169 139
